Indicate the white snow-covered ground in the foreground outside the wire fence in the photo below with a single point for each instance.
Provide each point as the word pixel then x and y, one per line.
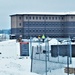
pixel 12 64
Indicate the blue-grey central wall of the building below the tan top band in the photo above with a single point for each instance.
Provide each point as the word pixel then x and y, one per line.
pixel 48 28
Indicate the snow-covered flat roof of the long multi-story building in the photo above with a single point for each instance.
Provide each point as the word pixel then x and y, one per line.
pixel 44 13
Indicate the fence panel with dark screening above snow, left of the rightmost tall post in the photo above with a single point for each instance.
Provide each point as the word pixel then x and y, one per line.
pixel 59 53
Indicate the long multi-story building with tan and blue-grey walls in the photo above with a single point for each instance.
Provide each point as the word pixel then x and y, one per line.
pixel 49 24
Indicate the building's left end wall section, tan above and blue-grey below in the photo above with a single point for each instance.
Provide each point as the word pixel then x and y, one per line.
pixel 17 25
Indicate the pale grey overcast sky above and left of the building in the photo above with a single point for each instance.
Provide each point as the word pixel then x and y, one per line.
pixel 9 7
